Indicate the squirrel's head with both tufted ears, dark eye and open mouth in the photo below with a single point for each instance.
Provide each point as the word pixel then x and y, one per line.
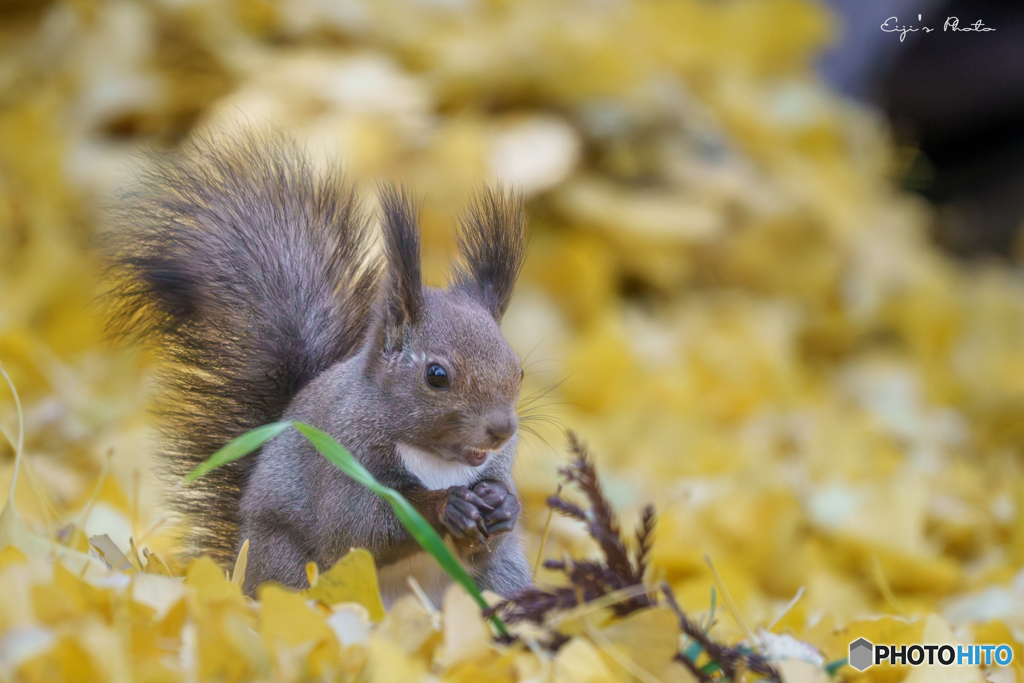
pixel 450 379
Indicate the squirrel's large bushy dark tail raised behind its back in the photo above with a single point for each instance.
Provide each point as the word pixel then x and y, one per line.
pixel 249 273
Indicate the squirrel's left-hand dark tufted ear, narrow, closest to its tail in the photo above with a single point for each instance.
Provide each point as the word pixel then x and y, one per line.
pixel 403 283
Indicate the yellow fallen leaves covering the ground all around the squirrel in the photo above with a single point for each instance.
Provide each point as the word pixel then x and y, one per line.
pixel 727 296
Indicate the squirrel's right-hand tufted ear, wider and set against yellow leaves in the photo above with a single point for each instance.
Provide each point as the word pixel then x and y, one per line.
pixel 493 245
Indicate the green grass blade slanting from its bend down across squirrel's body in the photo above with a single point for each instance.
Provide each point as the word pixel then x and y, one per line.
pixel 408 516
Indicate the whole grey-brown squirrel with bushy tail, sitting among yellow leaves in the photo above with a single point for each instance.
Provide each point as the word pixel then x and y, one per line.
pixel 253 276
